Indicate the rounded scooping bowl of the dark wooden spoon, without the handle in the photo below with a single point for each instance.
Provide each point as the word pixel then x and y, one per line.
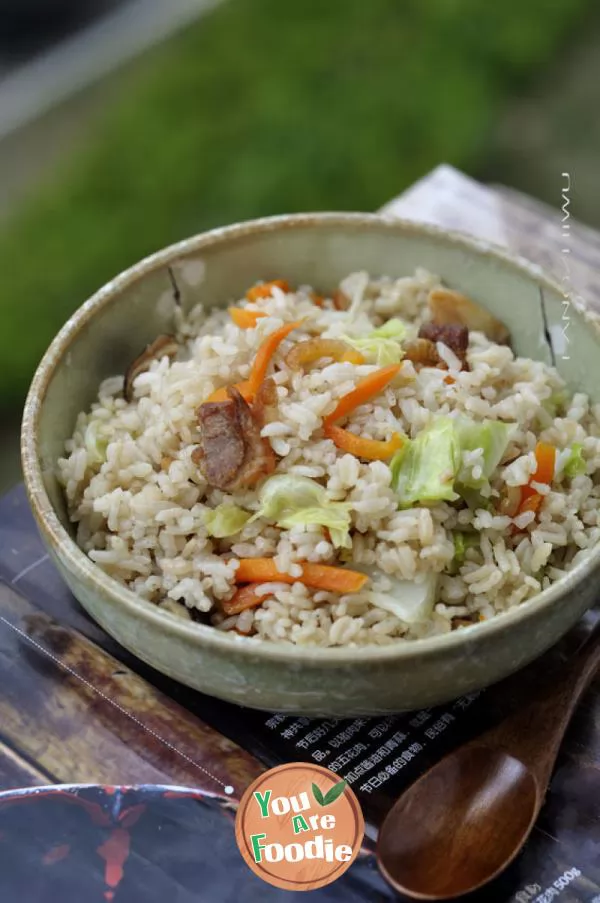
pixel 486 803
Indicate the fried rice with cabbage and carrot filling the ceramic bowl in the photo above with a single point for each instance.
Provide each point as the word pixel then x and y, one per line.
pixel 135 479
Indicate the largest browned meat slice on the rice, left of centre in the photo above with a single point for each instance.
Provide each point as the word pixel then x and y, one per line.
pixel 232 453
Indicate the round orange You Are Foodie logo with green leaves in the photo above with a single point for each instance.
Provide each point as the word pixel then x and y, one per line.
pixel 299 826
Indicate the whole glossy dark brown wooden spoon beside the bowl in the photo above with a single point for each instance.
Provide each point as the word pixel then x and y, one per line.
pixel 466 819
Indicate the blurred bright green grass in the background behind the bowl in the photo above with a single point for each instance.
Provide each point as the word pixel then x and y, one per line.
pixel 259 108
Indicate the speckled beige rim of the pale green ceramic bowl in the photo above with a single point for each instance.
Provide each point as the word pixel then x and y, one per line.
pixel 205 636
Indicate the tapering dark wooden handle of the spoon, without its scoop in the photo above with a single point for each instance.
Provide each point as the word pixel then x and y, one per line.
pixel 534 732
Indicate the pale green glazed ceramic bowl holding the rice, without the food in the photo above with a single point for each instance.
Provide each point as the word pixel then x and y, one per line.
pixel 106 333
